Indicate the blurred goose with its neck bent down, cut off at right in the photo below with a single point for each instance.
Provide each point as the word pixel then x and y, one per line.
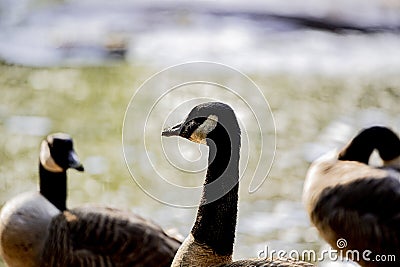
pixel 347 198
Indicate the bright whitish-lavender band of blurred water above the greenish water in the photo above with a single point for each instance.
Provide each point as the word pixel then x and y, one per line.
pixel 255 36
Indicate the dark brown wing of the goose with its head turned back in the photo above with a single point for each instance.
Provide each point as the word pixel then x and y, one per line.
pixel 365 212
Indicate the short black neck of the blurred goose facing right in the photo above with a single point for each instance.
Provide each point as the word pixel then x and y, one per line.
pixel 53 186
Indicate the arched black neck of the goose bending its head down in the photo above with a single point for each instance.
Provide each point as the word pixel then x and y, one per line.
pixel 361 147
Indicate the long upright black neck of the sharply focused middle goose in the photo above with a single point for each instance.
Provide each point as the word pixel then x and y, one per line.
pixel 216 217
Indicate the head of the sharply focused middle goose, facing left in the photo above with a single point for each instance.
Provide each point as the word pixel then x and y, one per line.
pixel 207 122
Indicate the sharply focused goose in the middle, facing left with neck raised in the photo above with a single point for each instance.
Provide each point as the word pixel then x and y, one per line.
pixel 210 242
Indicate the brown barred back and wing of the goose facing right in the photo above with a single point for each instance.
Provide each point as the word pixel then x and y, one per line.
pixel 99 236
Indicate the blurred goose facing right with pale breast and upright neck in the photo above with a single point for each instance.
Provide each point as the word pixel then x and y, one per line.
pixel 37 229
